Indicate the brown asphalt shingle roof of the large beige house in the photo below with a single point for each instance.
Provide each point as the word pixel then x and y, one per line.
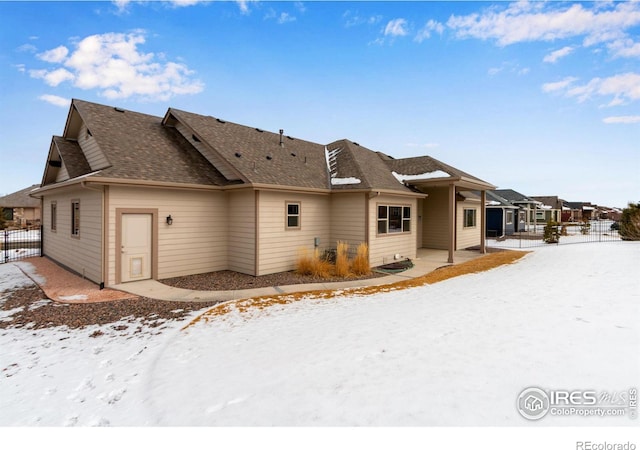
pixel 185 147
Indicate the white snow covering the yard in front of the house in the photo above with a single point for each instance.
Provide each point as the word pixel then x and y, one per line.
pixel 457 352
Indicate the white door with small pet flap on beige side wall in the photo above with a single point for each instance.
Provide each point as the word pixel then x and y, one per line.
pixel 136 247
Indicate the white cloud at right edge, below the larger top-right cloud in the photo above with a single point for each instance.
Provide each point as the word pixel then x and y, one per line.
pixel 623 88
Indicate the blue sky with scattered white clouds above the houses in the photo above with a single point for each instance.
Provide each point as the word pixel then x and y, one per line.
pixel 539 97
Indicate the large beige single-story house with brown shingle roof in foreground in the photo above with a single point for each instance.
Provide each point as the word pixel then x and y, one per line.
pixel 128 196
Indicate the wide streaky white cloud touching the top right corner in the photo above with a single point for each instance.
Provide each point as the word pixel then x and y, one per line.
pixel 538 21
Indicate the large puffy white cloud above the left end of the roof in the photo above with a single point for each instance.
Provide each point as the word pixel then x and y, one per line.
pixel 113 64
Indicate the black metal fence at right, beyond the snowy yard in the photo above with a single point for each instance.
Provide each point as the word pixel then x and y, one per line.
pixel 567 233
